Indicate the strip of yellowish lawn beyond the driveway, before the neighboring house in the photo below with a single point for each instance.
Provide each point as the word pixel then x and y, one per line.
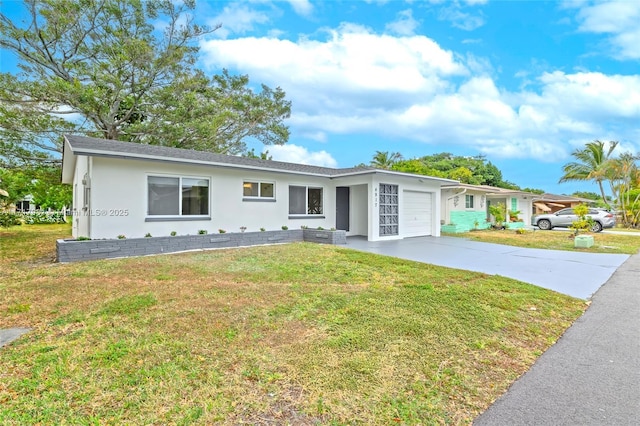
pixel 556 240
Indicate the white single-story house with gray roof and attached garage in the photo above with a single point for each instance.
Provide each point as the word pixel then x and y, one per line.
pixel 122 188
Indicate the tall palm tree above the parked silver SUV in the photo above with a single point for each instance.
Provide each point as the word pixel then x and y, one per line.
pixel 593 163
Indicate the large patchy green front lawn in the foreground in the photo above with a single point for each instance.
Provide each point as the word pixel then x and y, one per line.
pixel 290 334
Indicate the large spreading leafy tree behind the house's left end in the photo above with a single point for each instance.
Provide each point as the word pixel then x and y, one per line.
pixel 122 69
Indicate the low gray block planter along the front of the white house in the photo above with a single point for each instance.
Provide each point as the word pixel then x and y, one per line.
pixel 74 251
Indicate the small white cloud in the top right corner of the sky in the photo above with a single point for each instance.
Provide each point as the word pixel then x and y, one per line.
pixel 619 20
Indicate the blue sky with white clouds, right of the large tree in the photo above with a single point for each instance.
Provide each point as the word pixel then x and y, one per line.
pixel 524 83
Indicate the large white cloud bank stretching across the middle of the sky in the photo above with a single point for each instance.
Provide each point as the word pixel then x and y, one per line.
pixel 409 88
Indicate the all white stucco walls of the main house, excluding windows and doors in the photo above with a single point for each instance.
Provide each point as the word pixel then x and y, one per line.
pixel 118 204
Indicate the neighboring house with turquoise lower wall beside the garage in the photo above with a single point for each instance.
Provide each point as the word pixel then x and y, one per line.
pixel 466 207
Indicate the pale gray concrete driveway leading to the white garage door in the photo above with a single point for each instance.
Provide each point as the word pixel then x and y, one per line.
pixel 570 272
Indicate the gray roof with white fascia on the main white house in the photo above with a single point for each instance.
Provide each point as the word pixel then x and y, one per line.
pixel 82 145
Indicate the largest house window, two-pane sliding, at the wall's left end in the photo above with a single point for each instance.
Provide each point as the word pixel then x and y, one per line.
pixel 177 196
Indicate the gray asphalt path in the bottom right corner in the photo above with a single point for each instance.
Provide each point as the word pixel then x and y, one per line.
pixel 591 376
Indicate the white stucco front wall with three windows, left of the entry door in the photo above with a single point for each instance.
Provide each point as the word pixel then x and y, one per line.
pixel 120 196
